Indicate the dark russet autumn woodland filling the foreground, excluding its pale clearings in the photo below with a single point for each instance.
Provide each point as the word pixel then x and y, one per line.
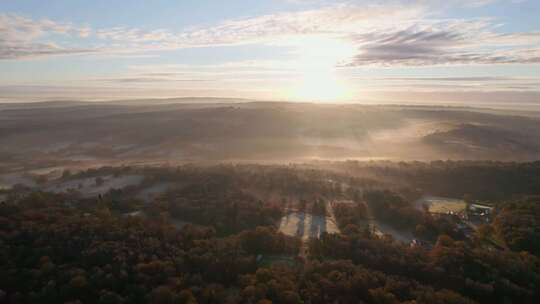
pixel 120 247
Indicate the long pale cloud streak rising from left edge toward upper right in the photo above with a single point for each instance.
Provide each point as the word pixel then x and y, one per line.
pixel 21 37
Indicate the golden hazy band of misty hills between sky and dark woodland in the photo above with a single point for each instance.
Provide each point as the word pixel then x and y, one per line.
pixel 53 134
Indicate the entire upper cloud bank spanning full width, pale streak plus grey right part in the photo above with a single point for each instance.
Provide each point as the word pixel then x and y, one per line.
pixel 384 34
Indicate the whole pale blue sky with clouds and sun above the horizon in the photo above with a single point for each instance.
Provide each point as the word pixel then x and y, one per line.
pixel 415 51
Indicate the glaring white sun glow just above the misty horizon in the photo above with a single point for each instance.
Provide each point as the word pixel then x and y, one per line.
pixel 318 76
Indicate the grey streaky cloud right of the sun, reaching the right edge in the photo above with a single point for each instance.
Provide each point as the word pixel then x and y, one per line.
pixel 445 43
